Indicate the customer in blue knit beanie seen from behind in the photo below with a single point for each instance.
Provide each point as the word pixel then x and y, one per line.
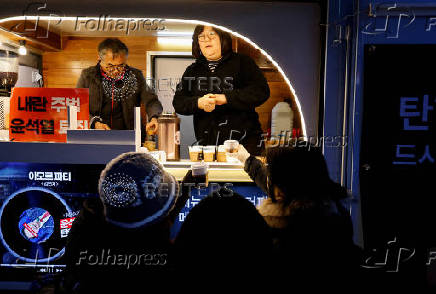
pixel 120 241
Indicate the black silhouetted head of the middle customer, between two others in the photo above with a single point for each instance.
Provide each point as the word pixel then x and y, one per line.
pixel 223 242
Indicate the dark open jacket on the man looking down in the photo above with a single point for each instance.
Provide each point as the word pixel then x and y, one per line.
pixel 91 78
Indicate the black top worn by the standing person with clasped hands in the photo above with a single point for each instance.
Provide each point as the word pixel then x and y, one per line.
pixel 245 88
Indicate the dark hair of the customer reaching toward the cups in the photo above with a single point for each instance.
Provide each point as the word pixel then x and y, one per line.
pixel 301 173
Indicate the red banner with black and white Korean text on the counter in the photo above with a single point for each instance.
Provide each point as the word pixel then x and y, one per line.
pixel 41 114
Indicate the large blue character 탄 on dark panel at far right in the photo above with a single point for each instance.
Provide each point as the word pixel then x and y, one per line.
pixel 408 110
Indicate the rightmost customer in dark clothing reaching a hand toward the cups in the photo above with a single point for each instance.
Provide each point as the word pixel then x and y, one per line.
pixel 306 212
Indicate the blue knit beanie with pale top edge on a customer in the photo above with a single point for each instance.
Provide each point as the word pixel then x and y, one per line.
pixel 136 191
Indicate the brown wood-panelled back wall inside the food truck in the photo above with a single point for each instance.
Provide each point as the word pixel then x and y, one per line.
pixel 62 69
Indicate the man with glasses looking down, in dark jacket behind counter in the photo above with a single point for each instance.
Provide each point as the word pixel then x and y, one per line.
pixel 115 89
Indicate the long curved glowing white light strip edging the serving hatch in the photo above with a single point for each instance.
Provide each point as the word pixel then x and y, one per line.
pixel 196 22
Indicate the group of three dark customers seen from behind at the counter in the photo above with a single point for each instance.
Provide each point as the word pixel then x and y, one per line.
pixel 300 237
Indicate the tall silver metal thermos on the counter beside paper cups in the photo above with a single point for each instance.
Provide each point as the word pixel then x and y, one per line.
pixel 168 135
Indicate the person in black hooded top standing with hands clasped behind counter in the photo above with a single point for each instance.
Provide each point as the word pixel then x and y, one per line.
pixel 221 90
